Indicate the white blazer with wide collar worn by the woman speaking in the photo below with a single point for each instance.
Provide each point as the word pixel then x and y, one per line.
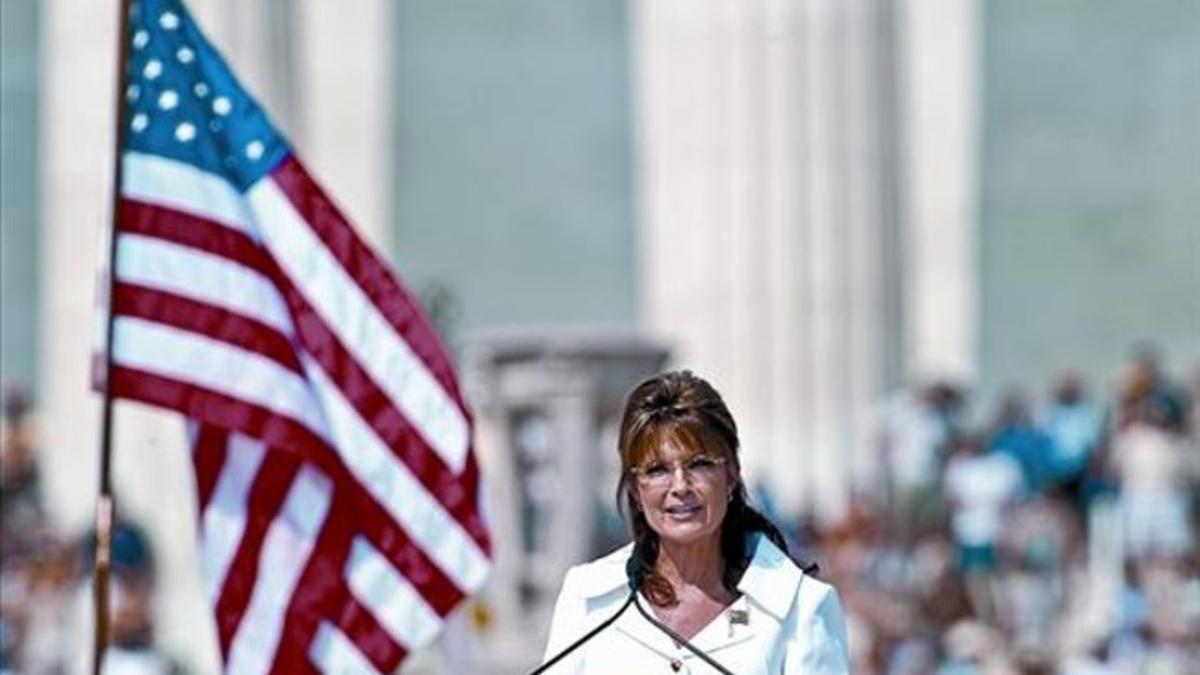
pixel 793 624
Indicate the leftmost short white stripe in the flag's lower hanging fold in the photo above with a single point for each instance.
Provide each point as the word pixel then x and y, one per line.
pixel 224 522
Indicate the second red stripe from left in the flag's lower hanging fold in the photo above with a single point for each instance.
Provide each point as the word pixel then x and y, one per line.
pixel 265 501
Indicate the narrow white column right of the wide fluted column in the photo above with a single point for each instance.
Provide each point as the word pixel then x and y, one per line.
pixel 940 47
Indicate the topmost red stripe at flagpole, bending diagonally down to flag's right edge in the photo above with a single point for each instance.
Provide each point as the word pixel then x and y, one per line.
pixel 457 493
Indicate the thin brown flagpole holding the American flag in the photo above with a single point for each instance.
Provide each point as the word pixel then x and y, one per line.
pixel 105 500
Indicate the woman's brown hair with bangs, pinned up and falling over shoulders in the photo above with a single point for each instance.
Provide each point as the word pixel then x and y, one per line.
pixel 686 408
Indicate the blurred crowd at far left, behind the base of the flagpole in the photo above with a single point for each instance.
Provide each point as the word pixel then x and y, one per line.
pixel 46 575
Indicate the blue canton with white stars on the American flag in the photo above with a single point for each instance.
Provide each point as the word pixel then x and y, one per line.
pixel 183 103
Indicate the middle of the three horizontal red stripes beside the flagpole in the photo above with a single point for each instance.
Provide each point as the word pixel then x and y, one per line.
pixel 218 324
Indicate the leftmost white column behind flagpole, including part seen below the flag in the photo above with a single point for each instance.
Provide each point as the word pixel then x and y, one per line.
pixel 152 469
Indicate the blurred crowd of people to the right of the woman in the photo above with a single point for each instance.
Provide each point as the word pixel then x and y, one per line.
pixel 1058 536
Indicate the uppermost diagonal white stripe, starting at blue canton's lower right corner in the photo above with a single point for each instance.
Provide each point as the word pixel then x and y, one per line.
pixel 365 333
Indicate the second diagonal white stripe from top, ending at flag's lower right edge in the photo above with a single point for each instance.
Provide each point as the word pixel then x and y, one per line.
pixel 393 485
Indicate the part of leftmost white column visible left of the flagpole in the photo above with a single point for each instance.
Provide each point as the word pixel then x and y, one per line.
pixel 76 109
